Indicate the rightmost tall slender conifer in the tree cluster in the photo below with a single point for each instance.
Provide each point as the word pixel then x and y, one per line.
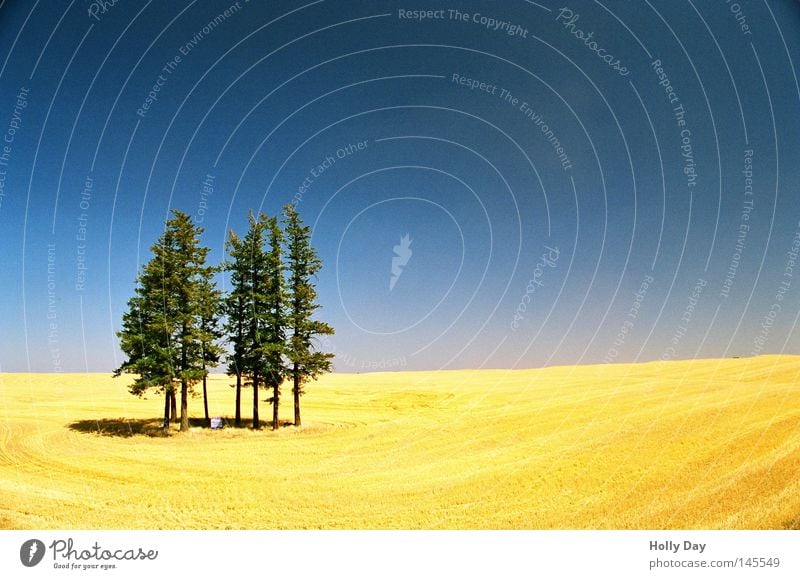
pixel 302 265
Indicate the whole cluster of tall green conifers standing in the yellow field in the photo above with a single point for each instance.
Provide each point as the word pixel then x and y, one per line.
pixel 178 324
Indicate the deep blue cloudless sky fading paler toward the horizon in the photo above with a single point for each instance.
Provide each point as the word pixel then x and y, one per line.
pixel 521 255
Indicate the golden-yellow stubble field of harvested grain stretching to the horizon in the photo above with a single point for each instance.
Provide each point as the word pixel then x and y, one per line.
pixel 712 444
